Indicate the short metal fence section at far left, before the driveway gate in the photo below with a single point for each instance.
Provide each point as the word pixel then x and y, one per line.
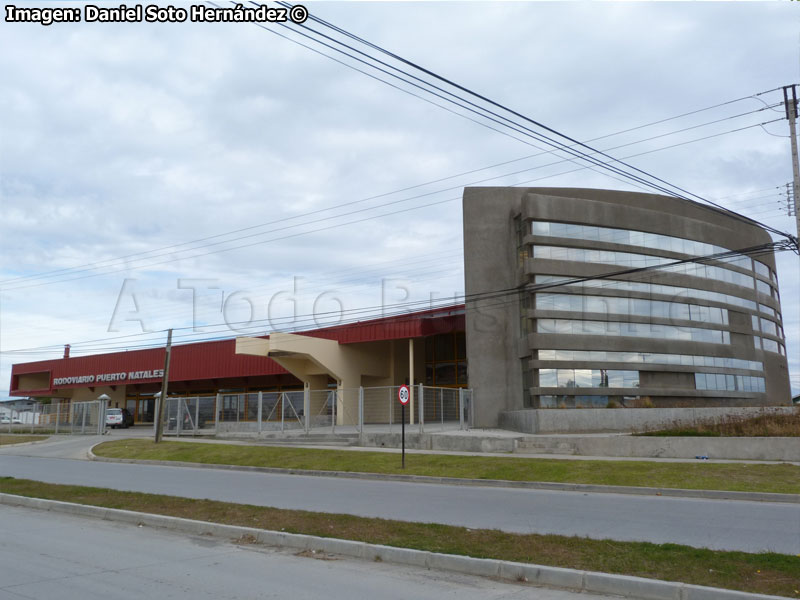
pixel 87 418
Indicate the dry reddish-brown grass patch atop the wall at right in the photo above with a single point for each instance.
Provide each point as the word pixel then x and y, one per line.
pixel 766 425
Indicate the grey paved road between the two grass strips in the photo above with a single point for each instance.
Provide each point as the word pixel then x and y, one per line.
pixel 718 524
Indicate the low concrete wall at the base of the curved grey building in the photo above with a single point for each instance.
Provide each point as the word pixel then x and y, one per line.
pixel 623 419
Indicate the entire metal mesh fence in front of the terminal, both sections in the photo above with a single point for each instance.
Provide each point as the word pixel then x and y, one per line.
pixel 335 410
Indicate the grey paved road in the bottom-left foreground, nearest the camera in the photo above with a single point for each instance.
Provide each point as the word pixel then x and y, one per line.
pixel 47 555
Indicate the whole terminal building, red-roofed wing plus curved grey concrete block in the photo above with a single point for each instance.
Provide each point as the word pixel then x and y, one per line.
pixel 575 298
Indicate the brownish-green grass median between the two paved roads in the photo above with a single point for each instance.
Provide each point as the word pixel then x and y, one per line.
pixel 765 573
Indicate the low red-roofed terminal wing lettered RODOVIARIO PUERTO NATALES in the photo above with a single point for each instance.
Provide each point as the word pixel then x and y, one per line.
pixel 427 347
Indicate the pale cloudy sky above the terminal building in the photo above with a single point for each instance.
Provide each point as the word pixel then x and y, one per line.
pixel 220 179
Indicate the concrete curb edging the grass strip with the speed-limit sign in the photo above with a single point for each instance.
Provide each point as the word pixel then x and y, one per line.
pixel 535 485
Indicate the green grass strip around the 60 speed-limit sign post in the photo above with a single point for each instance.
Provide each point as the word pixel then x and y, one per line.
pixel 777 478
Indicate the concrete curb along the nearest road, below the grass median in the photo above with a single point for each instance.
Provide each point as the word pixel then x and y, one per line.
pixel 572 579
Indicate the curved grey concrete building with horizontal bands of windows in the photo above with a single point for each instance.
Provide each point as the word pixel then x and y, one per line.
pixel 580 324
